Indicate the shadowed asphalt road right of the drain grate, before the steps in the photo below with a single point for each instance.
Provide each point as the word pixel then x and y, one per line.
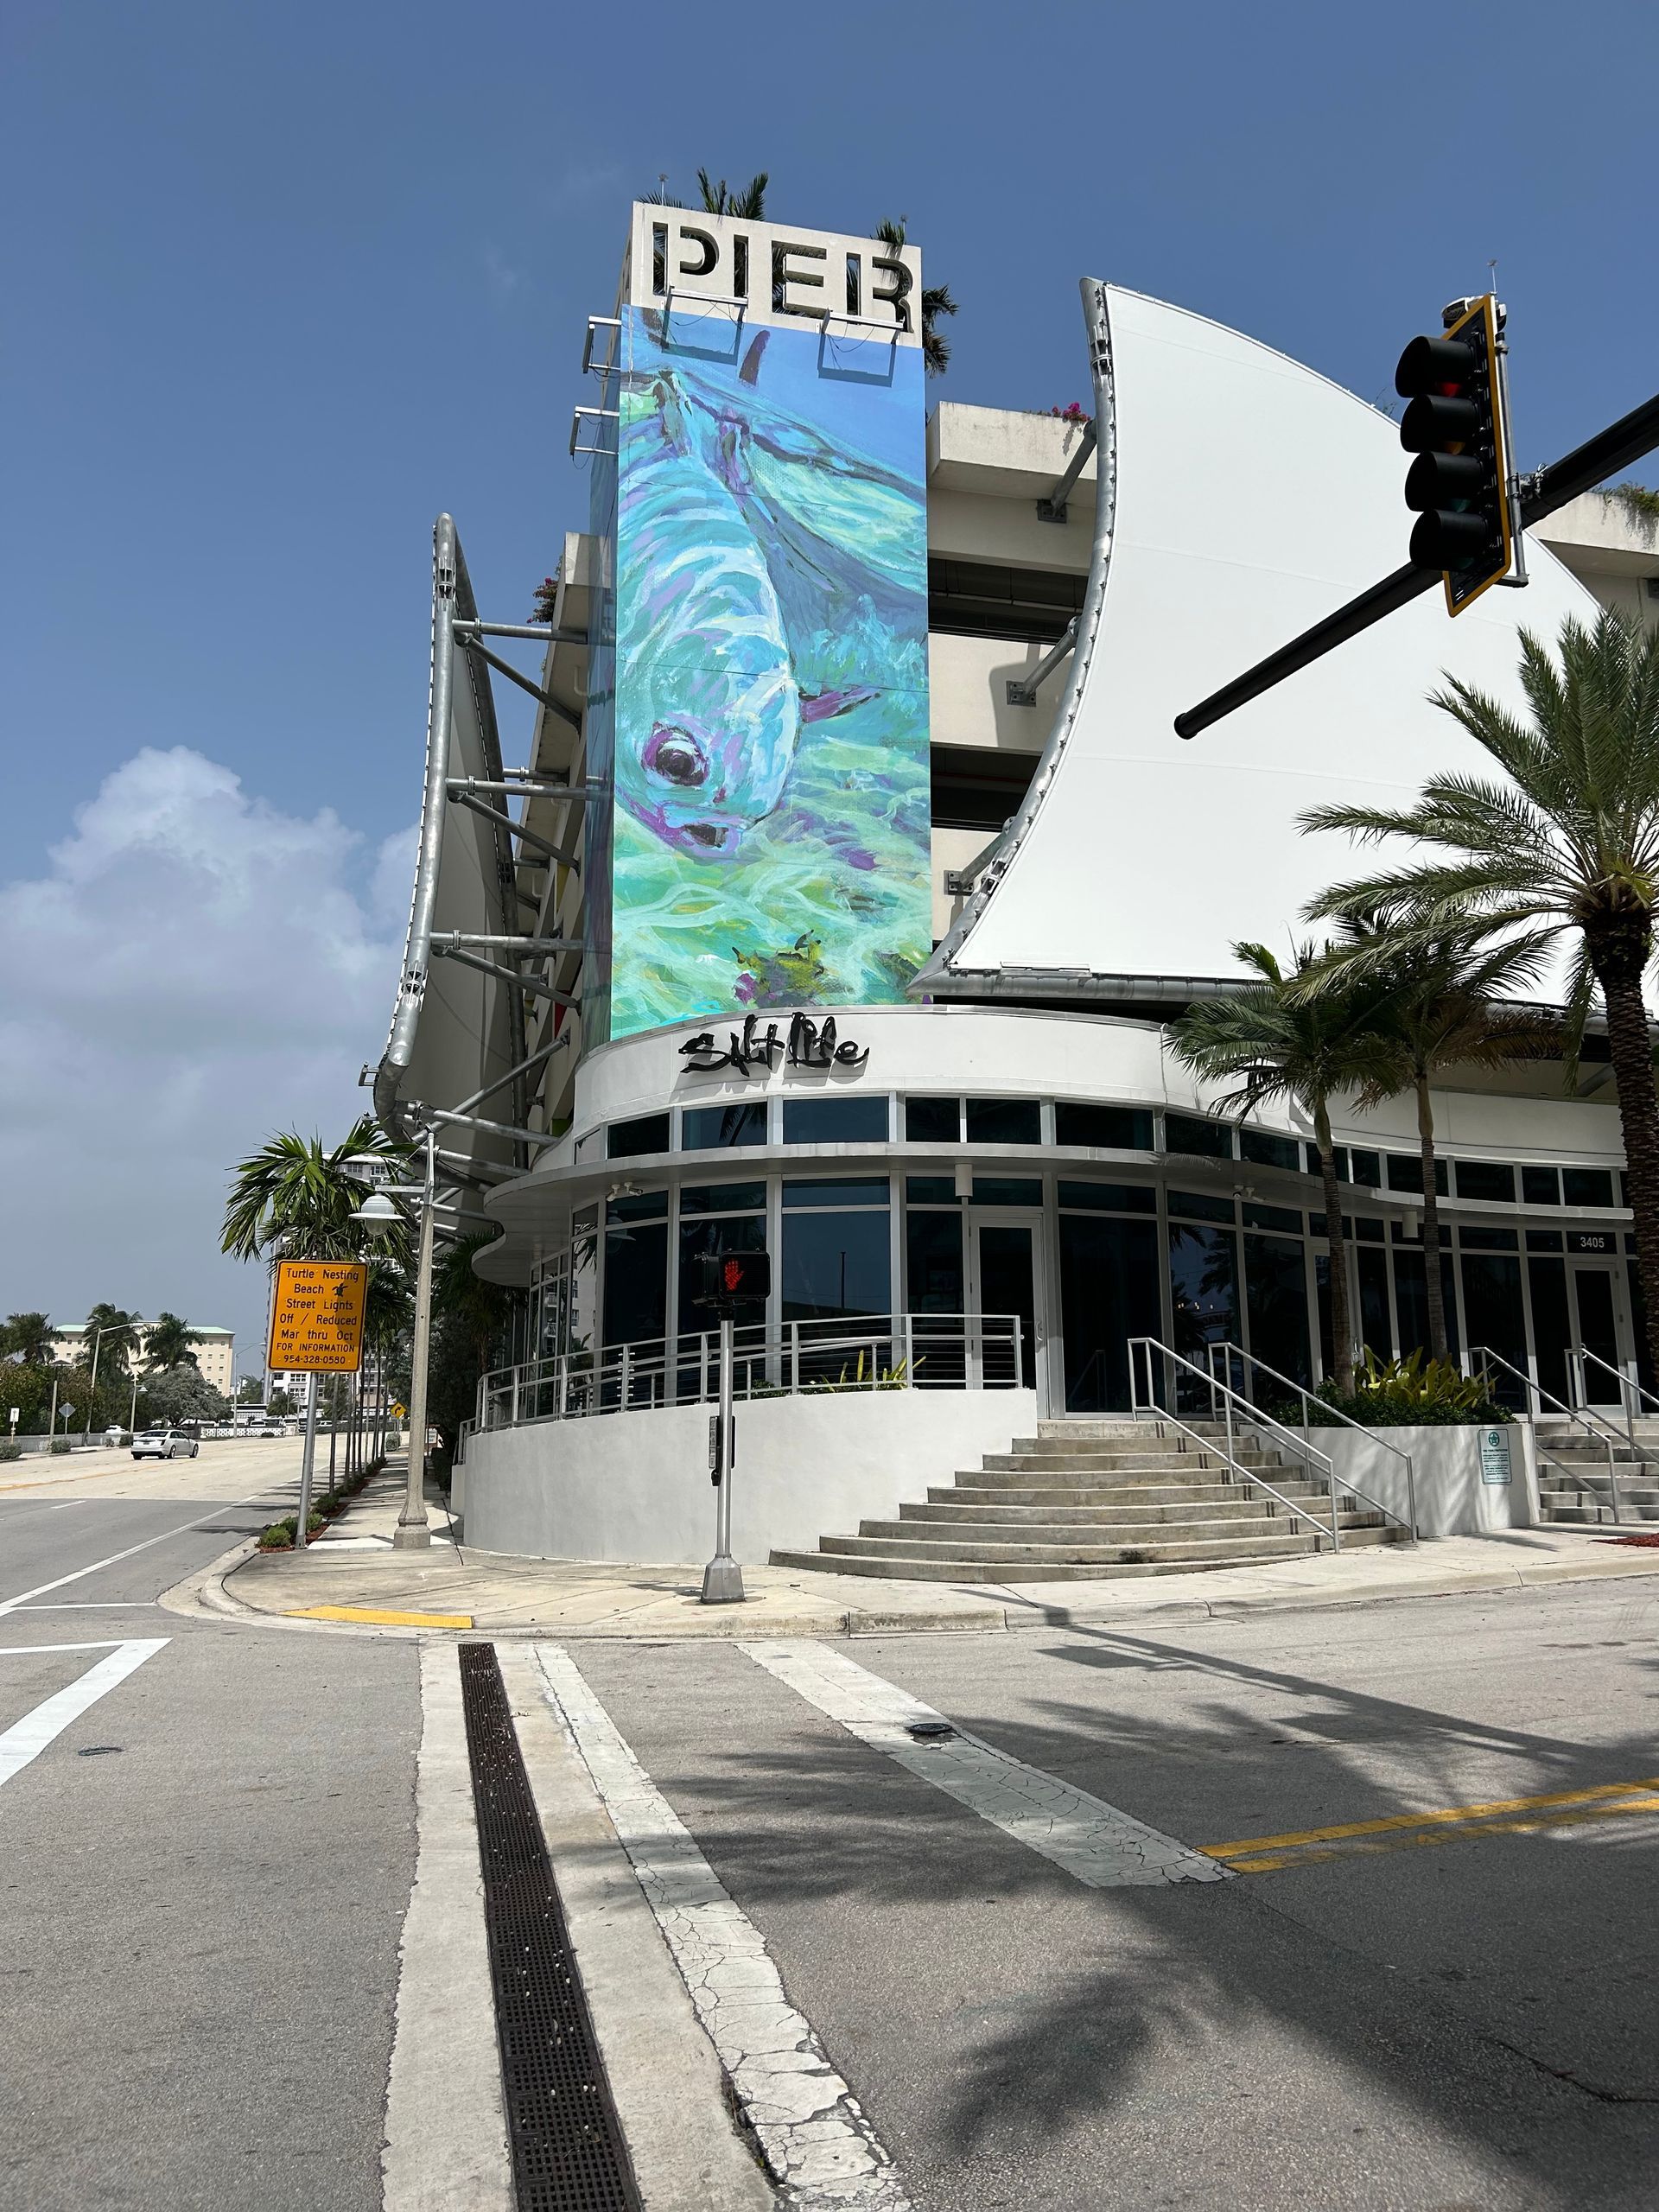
pixel 1450 2025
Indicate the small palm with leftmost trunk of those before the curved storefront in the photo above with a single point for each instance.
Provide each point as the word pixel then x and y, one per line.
pixel 1277 1043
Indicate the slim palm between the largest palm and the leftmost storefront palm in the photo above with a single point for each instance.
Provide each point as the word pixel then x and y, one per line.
pixel 1441 1005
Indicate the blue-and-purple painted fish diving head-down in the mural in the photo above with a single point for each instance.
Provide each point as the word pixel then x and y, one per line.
pixel 711 711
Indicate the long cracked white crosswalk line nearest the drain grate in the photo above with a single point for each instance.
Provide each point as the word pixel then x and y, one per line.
pixel 815 2138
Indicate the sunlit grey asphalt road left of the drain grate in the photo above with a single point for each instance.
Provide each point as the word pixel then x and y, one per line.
pixel 205 1875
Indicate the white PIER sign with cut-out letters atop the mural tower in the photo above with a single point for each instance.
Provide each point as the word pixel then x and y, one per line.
pixel 773 275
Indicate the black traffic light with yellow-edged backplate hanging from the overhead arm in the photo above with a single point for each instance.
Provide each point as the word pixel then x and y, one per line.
pixel 1459 428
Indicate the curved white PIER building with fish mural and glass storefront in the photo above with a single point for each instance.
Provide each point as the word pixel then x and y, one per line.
pixel 857 873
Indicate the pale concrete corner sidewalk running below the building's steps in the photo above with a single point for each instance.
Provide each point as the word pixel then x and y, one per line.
pixel 355 1578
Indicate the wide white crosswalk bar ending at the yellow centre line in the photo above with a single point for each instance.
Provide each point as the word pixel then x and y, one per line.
pixel 1092 1839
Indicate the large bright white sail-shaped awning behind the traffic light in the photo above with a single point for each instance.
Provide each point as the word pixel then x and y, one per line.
pixel 1251 499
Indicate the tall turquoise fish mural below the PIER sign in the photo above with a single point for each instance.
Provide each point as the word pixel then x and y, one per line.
pixel 771 671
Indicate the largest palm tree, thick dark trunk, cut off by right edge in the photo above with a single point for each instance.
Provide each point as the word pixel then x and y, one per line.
pixel 1565 848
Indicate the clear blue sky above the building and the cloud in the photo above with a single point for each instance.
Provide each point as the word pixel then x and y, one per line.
pixel 284 282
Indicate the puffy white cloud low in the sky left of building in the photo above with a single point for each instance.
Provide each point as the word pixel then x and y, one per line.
pixel 191 972
